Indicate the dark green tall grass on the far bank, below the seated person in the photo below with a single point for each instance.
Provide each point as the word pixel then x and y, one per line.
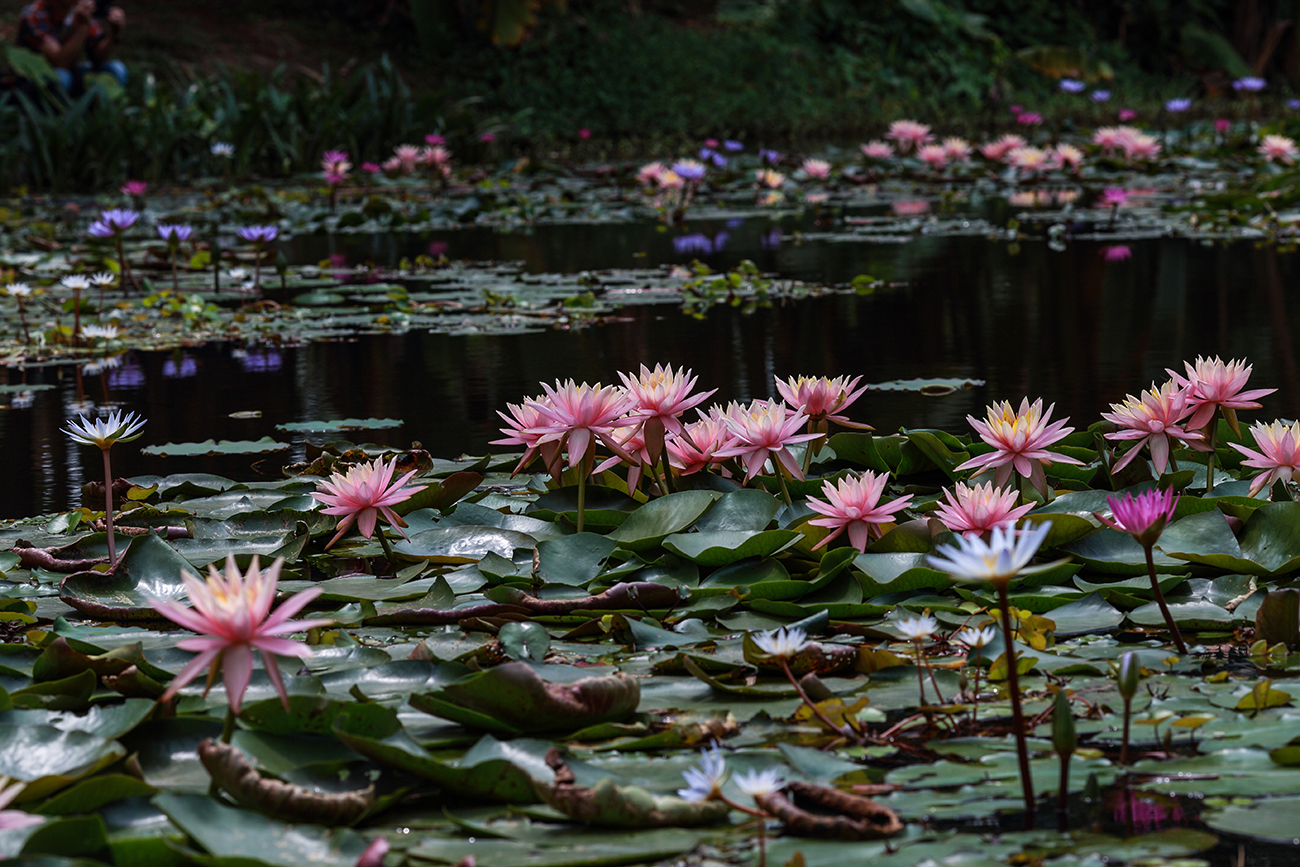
pixel 163 131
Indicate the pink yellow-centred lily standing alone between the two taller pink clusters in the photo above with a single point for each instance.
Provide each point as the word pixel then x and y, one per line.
pixel 1020 440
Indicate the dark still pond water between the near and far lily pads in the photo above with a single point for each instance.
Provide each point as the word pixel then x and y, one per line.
pixel 1068 327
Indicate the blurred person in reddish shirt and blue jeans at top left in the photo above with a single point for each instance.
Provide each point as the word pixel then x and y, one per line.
pixel 64 31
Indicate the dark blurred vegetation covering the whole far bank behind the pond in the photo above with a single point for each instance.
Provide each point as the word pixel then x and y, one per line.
pixel 284 79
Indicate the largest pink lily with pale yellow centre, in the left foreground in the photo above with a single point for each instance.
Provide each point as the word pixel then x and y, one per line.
pixel 233 614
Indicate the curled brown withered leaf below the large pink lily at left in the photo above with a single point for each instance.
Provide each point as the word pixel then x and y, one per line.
pixel 276 799
